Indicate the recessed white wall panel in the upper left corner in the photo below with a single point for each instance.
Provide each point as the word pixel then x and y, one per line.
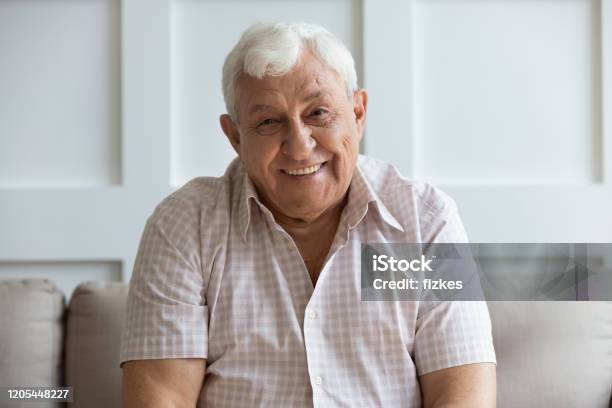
pixel 59 93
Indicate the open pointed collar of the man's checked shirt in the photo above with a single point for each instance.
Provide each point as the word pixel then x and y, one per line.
pixel 361 195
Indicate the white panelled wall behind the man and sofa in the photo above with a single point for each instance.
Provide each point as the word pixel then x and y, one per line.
pixel 106 106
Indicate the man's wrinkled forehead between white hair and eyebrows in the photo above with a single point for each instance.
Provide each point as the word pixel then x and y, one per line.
pixel 310 78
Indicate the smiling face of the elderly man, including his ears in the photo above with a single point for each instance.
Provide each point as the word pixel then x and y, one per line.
pixel 298 136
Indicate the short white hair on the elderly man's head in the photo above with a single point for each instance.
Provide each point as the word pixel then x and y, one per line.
pixel 268 49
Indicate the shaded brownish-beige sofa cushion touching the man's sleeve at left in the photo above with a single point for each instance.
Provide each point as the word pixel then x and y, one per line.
pixel 95 321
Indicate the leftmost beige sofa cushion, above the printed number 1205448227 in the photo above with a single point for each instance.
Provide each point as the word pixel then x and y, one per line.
pixel 31 334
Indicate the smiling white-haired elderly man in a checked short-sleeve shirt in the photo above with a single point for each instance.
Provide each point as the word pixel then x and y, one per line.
pixel 246 288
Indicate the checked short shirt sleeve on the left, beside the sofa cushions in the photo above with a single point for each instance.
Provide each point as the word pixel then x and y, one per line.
pixel 167 316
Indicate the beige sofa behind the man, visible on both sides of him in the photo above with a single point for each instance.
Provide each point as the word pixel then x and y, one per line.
pixel 550 354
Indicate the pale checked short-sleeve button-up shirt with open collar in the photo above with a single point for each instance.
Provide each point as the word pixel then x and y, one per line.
pixel 216 278
